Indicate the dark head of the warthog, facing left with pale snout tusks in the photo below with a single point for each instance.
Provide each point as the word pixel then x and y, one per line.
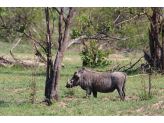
pixel 75 79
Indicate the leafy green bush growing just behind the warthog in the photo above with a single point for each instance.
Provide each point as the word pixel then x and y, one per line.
pixel 95 57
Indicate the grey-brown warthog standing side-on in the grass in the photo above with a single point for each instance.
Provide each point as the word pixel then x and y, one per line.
pixel 98 82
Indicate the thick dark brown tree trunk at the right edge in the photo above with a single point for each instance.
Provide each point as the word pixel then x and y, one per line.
pixel 156 49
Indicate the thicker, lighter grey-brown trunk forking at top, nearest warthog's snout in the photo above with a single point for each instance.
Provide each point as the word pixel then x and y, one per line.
pixel 63 42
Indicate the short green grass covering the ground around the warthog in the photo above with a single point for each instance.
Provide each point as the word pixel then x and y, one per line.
pixel 15 94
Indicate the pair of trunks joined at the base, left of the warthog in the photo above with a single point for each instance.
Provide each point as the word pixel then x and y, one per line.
pixel 52 80
